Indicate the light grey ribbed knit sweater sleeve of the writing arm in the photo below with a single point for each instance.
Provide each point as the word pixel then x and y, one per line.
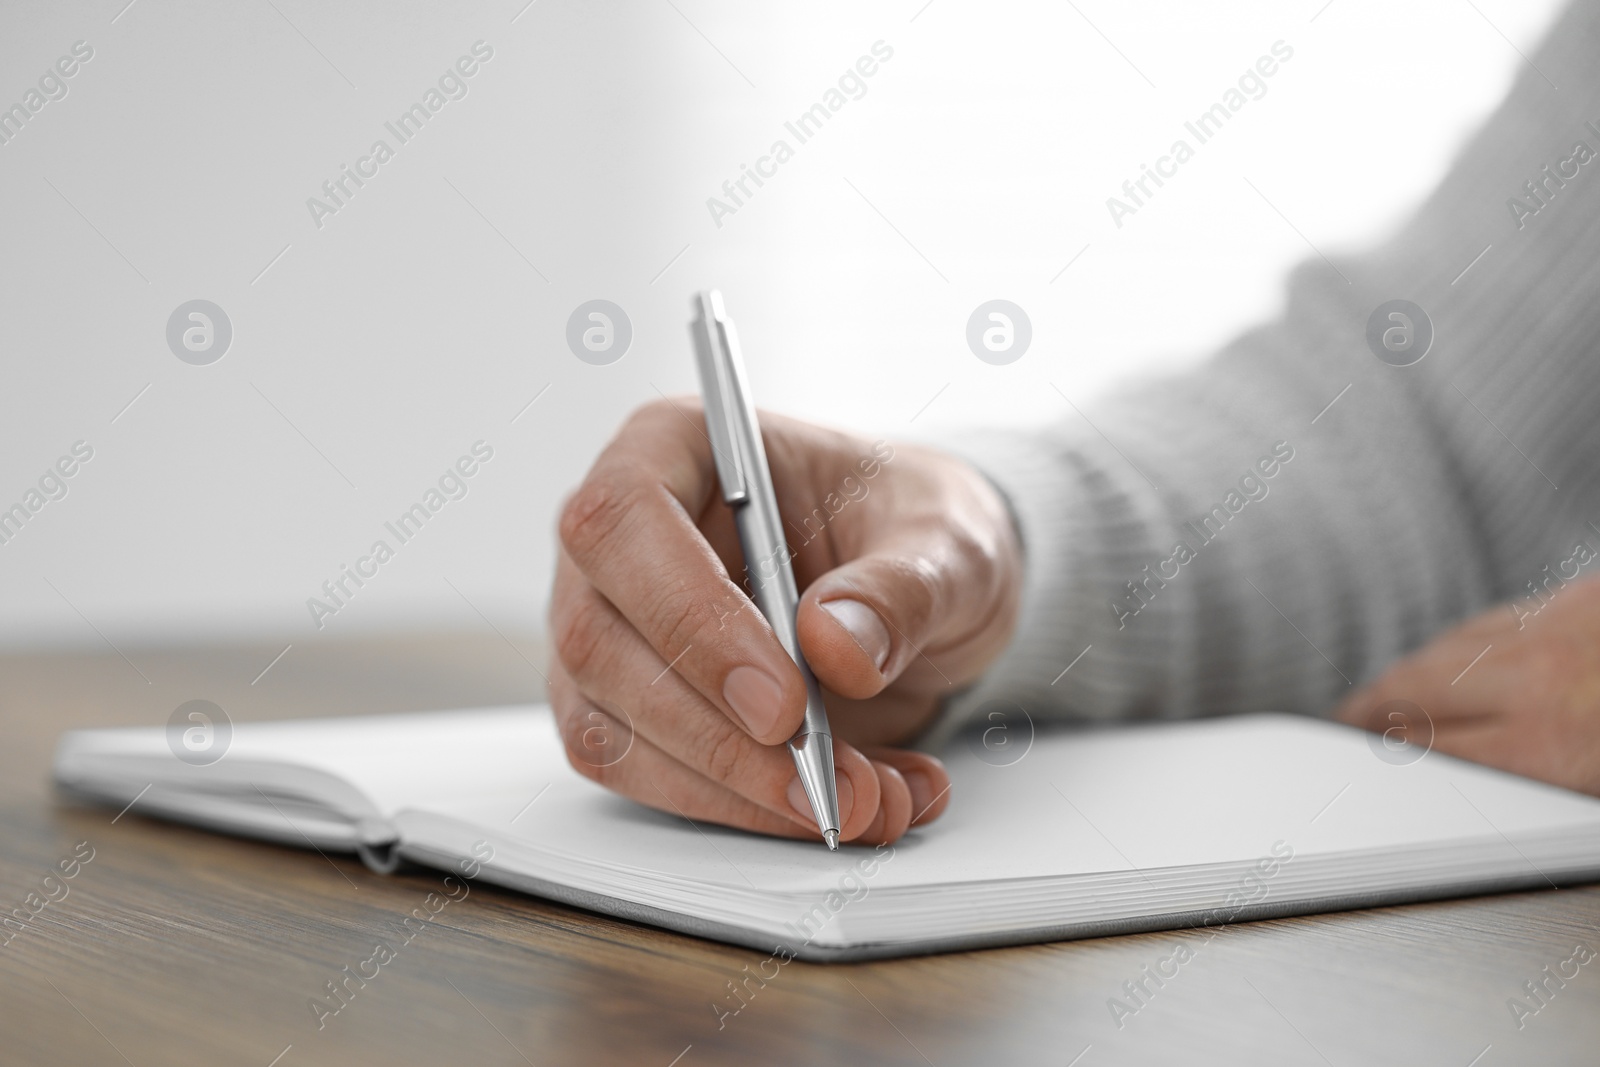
pixel 1279 526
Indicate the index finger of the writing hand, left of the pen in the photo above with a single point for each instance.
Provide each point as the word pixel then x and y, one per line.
pixel 631 529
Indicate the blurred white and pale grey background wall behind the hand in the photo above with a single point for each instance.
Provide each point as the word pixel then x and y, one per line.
pixel 412 324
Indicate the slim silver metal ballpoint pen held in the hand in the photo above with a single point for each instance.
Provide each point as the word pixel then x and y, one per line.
pixel 748 489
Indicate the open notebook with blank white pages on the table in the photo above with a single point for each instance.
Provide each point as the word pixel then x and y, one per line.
pixel 1089 833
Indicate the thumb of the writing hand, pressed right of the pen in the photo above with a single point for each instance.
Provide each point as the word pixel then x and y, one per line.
pixel 865 623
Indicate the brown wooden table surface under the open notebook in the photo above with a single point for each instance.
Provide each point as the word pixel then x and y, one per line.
pixel 183 948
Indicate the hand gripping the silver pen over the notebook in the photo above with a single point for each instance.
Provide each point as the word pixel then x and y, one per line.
pixel 911 577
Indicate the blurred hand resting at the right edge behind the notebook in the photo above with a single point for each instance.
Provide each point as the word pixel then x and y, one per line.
pixel 1530 706
